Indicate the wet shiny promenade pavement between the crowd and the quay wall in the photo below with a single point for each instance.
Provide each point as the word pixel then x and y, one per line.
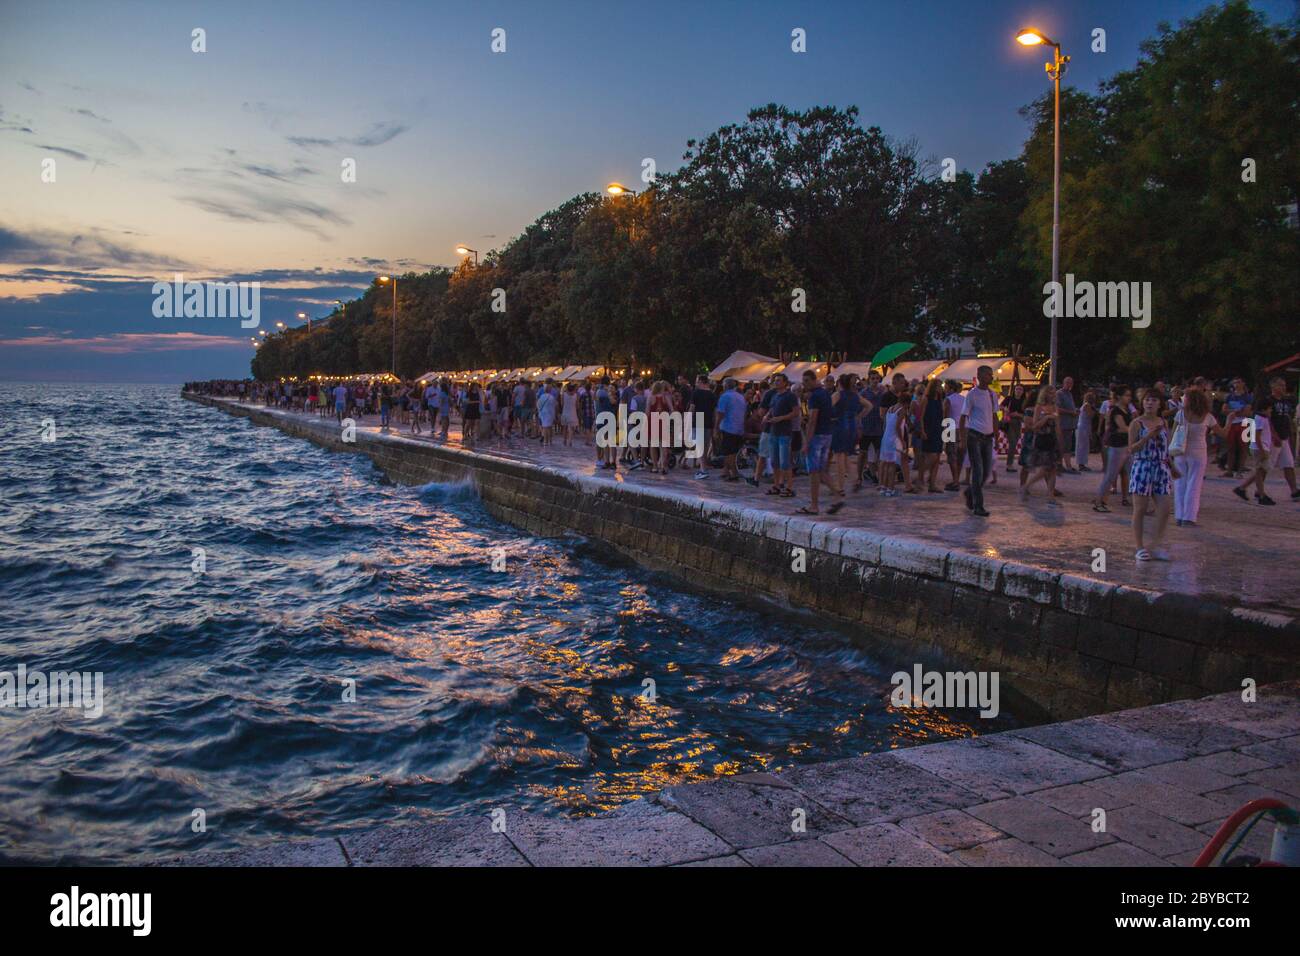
pixel 1241 555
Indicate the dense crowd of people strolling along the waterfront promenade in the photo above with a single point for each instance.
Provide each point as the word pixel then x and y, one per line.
pixel 1154 445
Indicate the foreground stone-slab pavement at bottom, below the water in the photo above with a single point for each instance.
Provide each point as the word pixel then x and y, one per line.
pixel 1165 777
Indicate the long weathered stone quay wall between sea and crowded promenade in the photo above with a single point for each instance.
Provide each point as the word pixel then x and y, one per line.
pixel 1065 646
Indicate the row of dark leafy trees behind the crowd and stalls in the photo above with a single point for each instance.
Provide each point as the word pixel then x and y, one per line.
pixel 1178 172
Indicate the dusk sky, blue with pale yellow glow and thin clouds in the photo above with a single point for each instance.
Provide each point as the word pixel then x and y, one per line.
pixel 228 165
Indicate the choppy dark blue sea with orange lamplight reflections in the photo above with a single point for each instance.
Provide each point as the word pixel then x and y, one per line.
pixel 473 689
